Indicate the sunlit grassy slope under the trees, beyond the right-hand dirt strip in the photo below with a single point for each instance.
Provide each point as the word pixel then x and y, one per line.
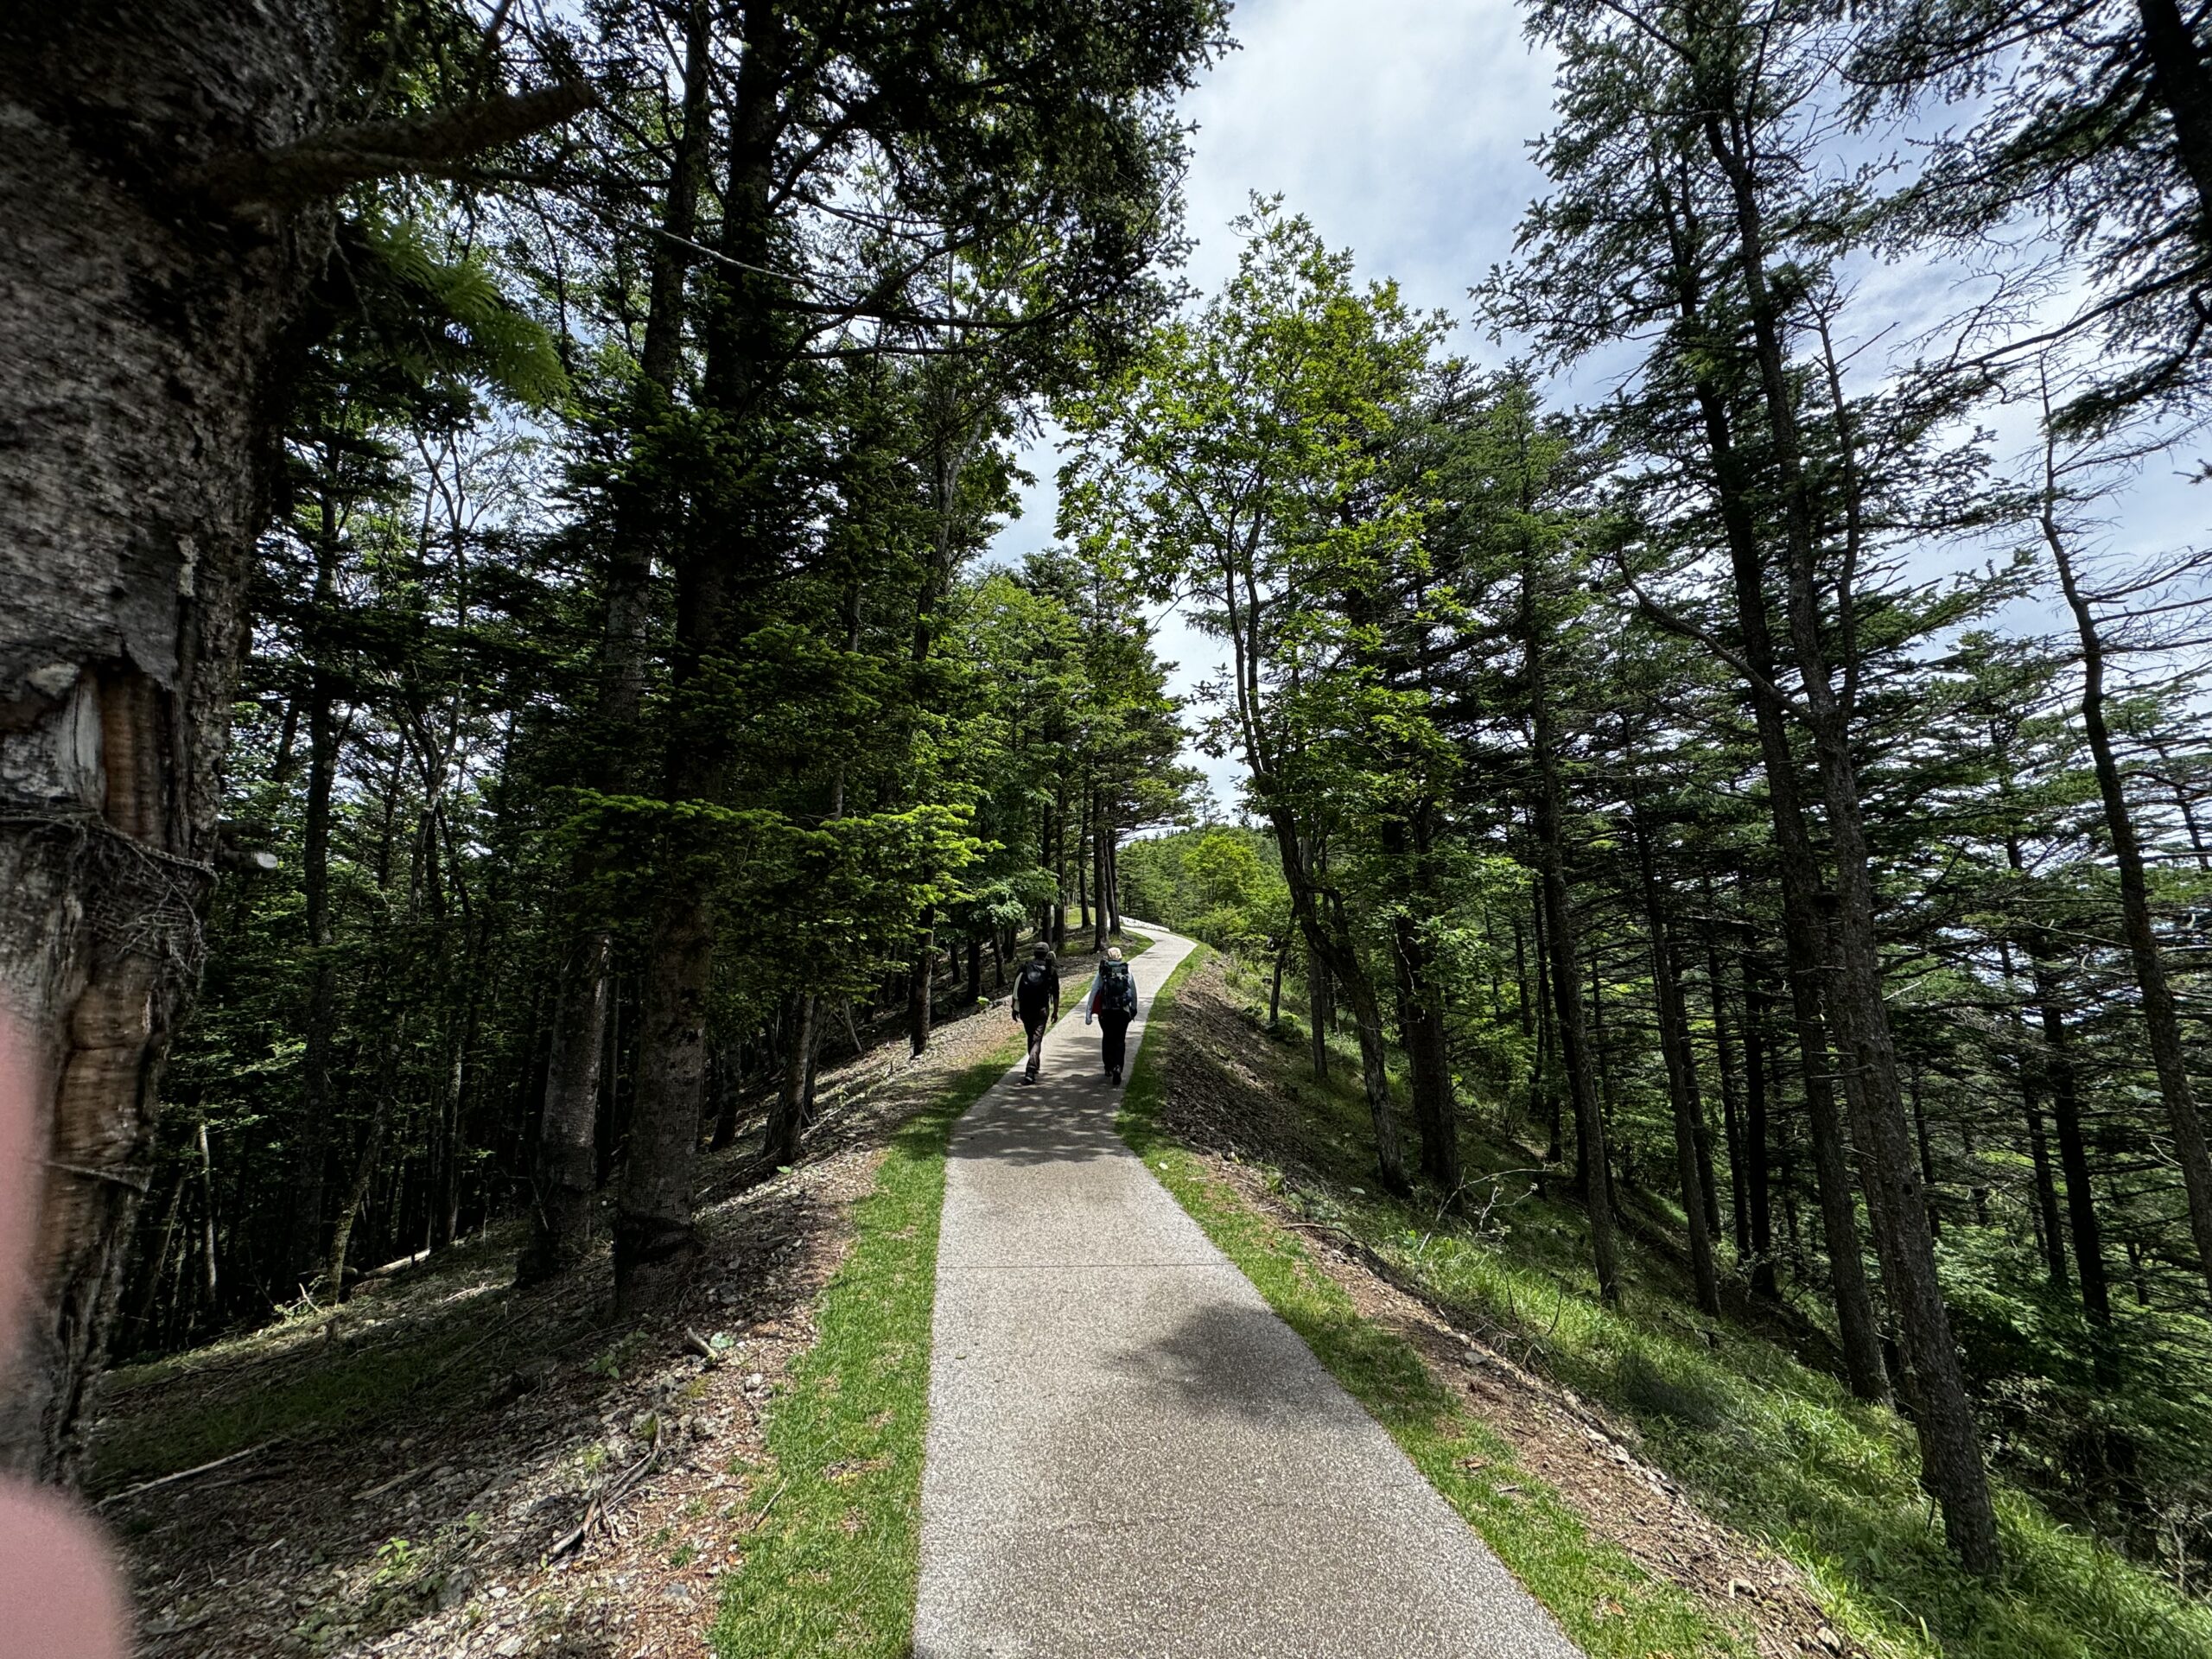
pixel 1771 1446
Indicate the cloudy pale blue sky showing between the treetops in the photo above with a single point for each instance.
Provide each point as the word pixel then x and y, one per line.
pixel 1404 132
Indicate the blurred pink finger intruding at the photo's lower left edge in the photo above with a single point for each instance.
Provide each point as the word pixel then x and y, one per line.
pixel 61 1596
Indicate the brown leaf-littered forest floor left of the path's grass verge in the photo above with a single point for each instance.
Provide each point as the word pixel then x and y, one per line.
pixel 450 1465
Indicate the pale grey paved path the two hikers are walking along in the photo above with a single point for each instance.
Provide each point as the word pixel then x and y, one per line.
pixel 1131 1454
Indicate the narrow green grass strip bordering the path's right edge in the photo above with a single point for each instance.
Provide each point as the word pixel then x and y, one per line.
pixel 1605 1600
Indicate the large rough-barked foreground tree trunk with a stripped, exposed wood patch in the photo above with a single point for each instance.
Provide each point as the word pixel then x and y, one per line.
pixel 140 359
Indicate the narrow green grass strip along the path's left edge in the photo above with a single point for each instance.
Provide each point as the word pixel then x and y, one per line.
pixel 835 1512
